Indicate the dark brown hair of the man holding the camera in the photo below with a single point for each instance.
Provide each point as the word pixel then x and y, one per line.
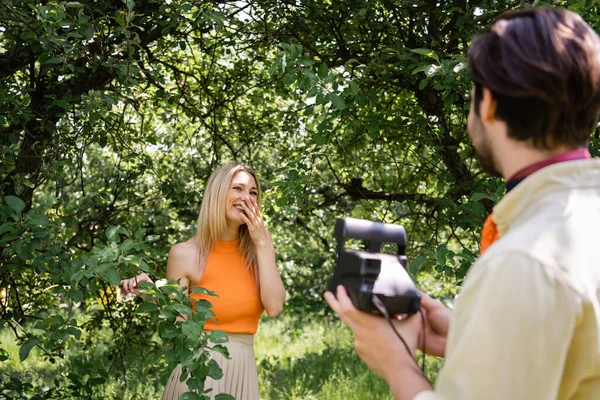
pixel 542 66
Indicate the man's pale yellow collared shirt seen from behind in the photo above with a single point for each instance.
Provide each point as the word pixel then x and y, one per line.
pixel 527 322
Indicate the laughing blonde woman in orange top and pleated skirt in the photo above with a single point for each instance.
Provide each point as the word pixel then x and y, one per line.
pixel 232 254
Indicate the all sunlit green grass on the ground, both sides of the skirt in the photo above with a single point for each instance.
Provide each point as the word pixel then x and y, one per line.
pixel 298 357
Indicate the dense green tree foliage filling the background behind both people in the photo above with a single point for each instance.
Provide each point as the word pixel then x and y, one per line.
pixel 113 114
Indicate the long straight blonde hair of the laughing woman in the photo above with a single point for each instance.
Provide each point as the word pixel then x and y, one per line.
pixel 212 222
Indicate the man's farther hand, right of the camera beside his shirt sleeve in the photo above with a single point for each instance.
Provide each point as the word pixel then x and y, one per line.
pixel 437 321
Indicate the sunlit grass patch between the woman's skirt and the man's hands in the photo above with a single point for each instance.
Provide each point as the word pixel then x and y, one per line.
pixel 315 359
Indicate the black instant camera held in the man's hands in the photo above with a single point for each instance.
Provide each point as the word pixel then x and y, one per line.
pixel 369 273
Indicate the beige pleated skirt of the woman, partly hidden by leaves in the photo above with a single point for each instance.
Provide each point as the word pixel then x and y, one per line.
pixel 240 378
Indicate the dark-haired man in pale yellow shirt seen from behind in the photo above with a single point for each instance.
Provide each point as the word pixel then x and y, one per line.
pixel 527 322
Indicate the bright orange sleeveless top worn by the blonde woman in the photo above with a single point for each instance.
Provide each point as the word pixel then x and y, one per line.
pixel 238 307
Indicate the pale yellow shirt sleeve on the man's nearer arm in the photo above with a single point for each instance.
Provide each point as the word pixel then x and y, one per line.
pixel 510 332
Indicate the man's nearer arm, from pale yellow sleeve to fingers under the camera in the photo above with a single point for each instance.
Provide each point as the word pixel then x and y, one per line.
pixel 508 338
